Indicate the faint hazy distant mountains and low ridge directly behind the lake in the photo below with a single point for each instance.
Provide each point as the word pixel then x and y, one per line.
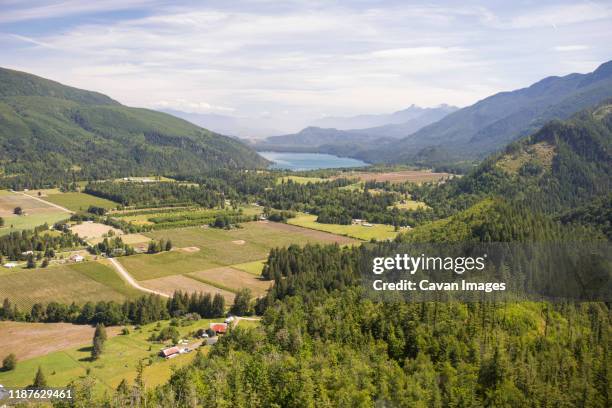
pixel 349 142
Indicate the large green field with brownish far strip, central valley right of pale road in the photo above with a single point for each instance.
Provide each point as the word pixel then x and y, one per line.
pixel 216 247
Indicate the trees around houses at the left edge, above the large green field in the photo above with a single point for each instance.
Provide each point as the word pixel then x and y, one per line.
pixel 17 245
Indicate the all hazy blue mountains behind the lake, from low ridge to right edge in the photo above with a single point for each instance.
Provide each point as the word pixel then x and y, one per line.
pixel 444 135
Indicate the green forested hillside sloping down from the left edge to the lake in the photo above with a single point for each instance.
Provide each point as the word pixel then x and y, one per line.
pixel 51 133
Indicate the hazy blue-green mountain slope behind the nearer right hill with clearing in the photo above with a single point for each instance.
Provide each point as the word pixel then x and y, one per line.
pixel 488 125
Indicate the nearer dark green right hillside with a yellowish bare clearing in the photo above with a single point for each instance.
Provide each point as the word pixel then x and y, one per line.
pixel 564 165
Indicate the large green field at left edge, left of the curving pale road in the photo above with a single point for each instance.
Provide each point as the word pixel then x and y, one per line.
pixel 89 281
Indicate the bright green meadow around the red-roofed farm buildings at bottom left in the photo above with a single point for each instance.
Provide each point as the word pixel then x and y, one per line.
pixel 120 358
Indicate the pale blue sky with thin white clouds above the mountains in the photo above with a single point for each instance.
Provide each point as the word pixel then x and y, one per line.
pixel 291 62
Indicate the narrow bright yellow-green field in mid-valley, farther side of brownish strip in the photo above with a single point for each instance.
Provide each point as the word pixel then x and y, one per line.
pixel 377 231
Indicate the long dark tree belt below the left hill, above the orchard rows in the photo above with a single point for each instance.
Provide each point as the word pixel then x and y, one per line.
pixel 155 194
